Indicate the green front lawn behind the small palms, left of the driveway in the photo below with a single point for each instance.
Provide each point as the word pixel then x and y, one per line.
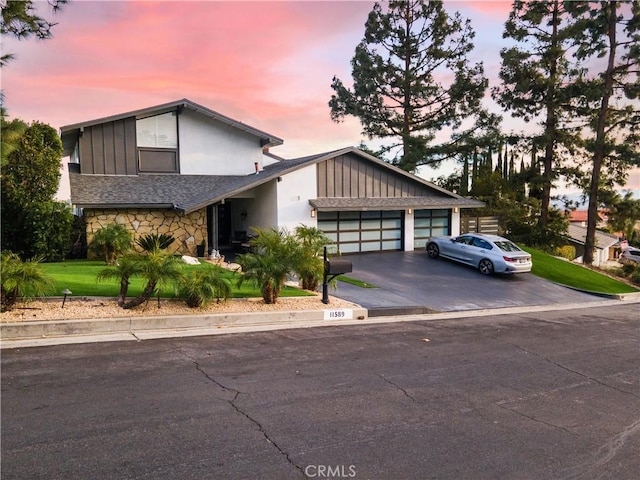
pixel 79 276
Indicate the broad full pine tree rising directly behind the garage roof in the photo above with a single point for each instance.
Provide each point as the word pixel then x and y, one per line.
pixel 398 90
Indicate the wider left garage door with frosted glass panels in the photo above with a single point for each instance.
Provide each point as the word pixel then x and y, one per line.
pixel 370 231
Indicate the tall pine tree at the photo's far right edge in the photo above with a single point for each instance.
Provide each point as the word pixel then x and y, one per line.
pixel 610 96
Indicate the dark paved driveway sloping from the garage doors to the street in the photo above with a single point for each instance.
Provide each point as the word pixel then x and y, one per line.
pixel 410 282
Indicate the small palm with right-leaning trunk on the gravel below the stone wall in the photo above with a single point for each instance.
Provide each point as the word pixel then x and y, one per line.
pixel 158 268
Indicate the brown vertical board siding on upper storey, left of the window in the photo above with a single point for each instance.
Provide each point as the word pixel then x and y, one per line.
pixel 109 148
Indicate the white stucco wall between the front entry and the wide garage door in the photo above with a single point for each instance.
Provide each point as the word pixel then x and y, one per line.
pixel 294 192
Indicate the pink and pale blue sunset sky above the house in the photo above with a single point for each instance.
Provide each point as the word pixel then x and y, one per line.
pixel 267 64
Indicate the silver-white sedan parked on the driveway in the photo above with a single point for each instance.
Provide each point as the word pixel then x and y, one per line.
pixel 488 253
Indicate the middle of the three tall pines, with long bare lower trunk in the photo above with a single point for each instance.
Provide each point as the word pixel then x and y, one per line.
pixel 537 75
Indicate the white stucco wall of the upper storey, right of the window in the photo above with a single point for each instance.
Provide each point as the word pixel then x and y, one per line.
pixel 208 147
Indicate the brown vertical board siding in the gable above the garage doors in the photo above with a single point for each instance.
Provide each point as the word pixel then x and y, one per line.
pixel 347 176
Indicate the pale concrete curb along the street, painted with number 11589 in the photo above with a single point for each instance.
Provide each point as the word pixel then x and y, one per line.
pixel 61 332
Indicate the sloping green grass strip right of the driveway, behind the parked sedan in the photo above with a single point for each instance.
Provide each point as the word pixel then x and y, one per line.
pixel 576 276
